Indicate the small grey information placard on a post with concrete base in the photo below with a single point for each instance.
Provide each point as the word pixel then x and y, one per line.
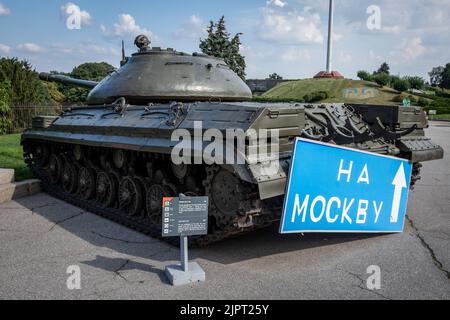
pixel 183 217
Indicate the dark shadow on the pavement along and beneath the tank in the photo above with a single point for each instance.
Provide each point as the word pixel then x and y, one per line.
pixel 100 232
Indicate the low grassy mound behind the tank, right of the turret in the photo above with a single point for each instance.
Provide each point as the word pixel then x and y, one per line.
pixel 296 90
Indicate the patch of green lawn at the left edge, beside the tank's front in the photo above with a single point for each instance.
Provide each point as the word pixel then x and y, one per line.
pixel 11 156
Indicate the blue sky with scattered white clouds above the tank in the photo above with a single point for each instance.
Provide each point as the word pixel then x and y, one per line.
pixel 283 36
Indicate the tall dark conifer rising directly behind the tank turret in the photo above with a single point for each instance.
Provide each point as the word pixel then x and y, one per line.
pixel 218 44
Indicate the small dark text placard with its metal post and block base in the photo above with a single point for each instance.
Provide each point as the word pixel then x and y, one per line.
pixel 186 272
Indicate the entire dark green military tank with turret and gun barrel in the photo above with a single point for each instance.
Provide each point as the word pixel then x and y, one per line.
pixel 114 155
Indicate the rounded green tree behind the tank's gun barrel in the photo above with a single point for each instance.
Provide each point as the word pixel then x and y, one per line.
pixel 94 71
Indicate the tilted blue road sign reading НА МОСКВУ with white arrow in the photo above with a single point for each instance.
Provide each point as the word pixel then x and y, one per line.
pixel 338 189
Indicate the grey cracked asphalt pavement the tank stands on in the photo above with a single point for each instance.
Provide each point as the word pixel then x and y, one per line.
pixel 41 237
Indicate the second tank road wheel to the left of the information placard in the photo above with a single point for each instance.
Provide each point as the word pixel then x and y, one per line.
pixel 130 196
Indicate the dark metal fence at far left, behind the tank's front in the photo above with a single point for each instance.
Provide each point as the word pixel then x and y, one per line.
pixel 23 114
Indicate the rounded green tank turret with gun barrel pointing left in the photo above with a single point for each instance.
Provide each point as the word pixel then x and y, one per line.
pixel 158 75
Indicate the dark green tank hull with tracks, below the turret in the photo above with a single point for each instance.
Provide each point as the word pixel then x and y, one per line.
pixel 118 163
